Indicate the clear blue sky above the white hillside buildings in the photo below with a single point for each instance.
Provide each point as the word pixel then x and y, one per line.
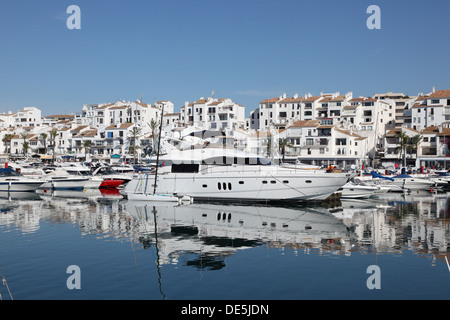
pixel 246 50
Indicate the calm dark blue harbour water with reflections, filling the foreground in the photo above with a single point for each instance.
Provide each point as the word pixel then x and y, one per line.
pixel 155 251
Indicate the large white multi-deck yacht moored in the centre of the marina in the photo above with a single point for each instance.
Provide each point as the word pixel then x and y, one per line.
pixel 228 174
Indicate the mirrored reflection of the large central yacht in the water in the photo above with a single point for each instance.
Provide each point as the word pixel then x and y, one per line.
pixel 205 234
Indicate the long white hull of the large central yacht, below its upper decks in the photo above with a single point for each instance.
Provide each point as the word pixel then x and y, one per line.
pixel 255 186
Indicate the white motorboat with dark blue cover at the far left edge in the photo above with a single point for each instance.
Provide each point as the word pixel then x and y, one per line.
pixel 12 181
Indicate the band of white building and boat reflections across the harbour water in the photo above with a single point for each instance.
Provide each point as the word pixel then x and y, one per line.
pixel 202 235
